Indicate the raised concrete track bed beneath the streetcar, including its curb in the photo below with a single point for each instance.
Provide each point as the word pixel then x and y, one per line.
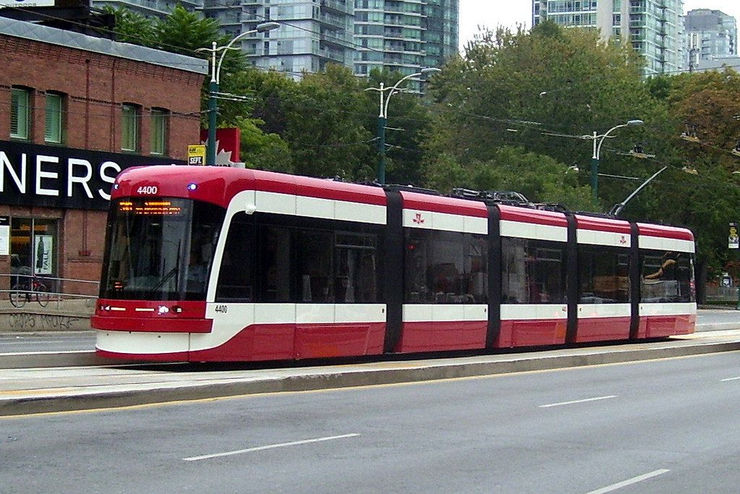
pixel 36 390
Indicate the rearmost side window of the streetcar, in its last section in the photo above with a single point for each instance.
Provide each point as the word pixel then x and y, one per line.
pixel 666 276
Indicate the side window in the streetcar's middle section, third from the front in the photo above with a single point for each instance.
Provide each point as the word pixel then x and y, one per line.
pixel 533 271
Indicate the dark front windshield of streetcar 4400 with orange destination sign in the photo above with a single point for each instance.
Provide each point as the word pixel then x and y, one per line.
pixel 159 248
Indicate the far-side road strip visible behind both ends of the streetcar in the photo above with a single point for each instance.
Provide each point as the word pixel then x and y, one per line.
pixel 58 341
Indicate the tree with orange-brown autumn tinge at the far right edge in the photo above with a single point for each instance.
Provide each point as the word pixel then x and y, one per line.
pixel 705 112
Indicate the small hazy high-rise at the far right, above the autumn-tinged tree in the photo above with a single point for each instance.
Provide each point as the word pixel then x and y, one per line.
pixel 710 35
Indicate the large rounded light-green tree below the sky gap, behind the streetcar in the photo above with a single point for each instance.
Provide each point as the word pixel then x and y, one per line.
pixel 539 92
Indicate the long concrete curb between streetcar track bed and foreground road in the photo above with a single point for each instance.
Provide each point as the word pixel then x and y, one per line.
pixel 342 376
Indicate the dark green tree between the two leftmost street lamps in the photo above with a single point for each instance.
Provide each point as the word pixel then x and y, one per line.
pixel 318 120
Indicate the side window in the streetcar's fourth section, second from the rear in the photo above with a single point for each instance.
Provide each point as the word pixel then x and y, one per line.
pixel 603 274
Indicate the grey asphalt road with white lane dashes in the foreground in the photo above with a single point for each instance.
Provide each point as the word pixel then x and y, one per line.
pixel 657 426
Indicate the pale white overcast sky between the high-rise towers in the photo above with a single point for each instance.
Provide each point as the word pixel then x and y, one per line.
pixel 509 13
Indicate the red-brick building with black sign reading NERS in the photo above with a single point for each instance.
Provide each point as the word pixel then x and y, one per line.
pixel 74 111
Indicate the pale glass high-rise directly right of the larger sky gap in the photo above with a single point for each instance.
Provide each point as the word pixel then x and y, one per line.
pixel 652 27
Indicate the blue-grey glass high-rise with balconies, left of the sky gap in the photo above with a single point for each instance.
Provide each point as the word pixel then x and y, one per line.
pixel 400 35
